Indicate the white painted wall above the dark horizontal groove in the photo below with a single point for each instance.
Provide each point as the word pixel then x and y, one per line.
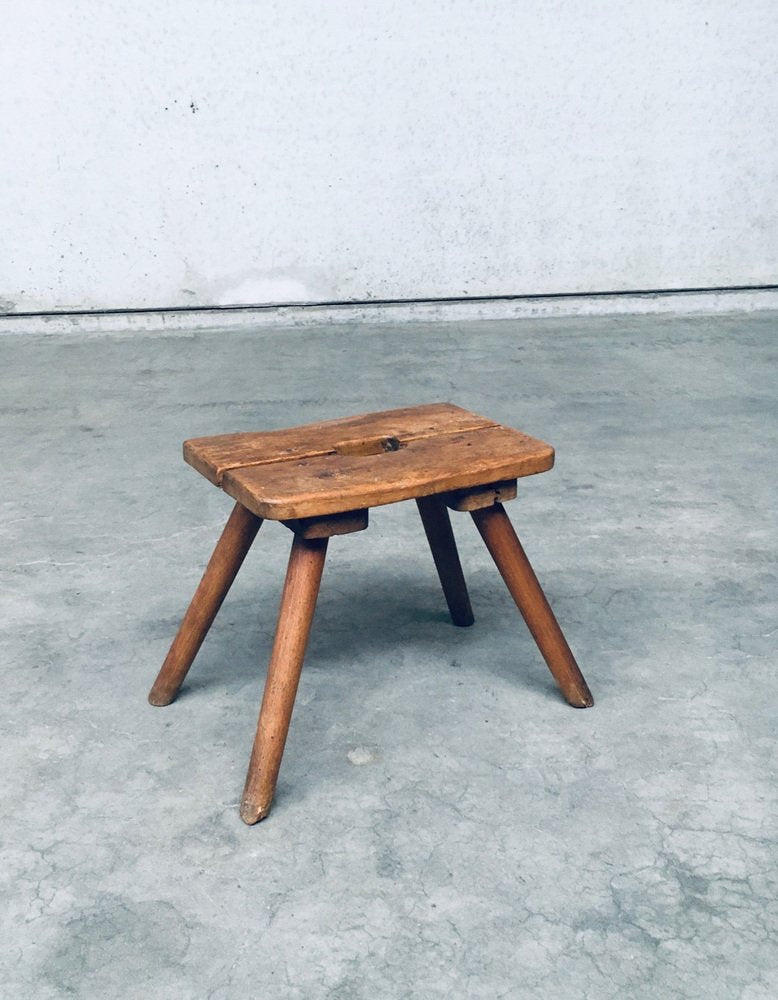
pixel 161 154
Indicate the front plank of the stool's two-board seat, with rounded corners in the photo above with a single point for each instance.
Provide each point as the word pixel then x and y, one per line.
pixel 327 484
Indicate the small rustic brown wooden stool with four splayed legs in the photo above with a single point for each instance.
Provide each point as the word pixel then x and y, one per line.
pixel 320 480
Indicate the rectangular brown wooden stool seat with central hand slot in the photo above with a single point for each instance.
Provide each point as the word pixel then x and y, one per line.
pixel 365 461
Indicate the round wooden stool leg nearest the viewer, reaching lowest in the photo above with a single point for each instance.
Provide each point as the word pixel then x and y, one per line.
pixel 298 603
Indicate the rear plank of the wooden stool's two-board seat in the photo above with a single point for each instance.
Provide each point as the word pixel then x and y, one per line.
pixel 213 456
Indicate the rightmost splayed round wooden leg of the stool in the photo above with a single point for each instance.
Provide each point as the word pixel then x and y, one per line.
pixel 507 552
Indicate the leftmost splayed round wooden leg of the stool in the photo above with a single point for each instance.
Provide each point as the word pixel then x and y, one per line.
pixel 235 541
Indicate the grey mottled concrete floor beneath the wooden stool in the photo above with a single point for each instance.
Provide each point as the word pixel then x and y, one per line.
pixel 445 826
